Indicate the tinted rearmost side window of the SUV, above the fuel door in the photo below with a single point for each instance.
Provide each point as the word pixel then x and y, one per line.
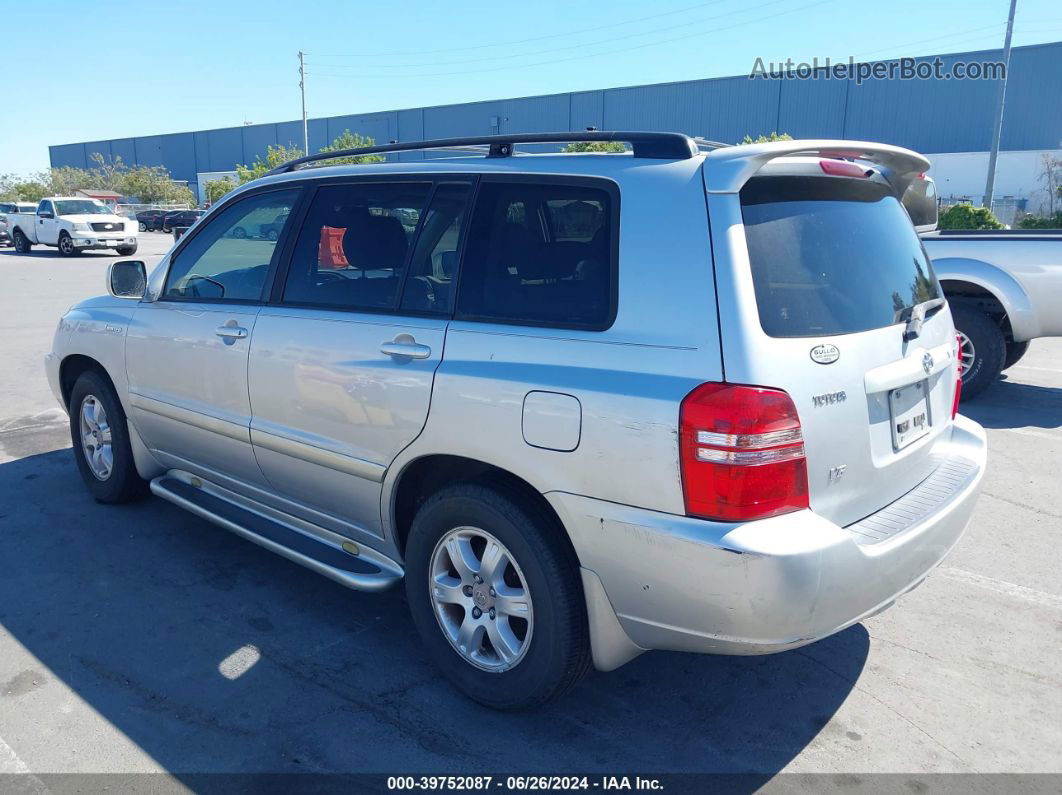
pixel 540 254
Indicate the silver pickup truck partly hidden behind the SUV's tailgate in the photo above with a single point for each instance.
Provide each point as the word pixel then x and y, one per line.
pixel 1005 289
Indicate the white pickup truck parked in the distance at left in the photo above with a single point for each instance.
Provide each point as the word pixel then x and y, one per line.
pixel 73 226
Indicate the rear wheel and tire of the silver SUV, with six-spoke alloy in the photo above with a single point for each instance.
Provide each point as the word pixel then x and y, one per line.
pixel 546 644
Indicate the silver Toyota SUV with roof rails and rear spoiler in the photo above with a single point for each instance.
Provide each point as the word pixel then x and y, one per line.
pixel 687 397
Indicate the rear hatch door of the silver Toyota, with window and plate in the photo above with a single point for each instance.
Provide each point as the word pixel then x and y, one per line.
pixel 827 272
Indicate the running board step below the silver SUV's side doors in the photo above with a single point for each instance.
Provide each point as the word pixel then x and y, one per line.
pixel 320 550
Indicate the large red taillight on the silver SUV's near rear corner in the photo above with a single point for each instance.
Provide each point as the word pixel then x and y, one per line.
pixel 742 453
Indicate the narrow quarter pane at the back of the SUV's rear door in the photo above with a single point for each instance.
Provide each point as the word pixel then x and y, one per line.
pixel 430 287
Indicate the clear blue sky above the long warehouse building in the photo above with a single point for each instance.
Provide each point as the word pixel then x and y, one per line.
pixel 92 72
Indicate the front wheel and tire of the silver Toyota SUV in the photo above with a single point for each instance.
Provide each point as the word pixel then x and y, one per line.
pixel 98 424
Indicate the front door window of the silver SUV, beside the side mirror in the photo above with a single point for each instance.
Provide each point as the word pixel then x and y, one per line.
pixel 231 257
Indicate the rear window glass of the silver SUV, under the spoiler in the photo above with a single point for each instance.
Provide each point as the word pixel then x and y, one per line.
pixel 832 256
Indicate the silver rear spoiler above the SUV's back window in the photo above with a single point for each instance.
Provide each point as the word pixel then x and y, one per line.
pixel 727 170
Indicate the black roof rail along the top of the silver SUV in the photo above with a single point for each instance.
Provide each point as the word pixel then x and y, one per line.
pixel 658 146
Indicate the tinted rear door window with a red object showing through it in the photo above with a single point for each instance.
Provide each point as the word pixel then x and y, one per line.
pixel 352 250
